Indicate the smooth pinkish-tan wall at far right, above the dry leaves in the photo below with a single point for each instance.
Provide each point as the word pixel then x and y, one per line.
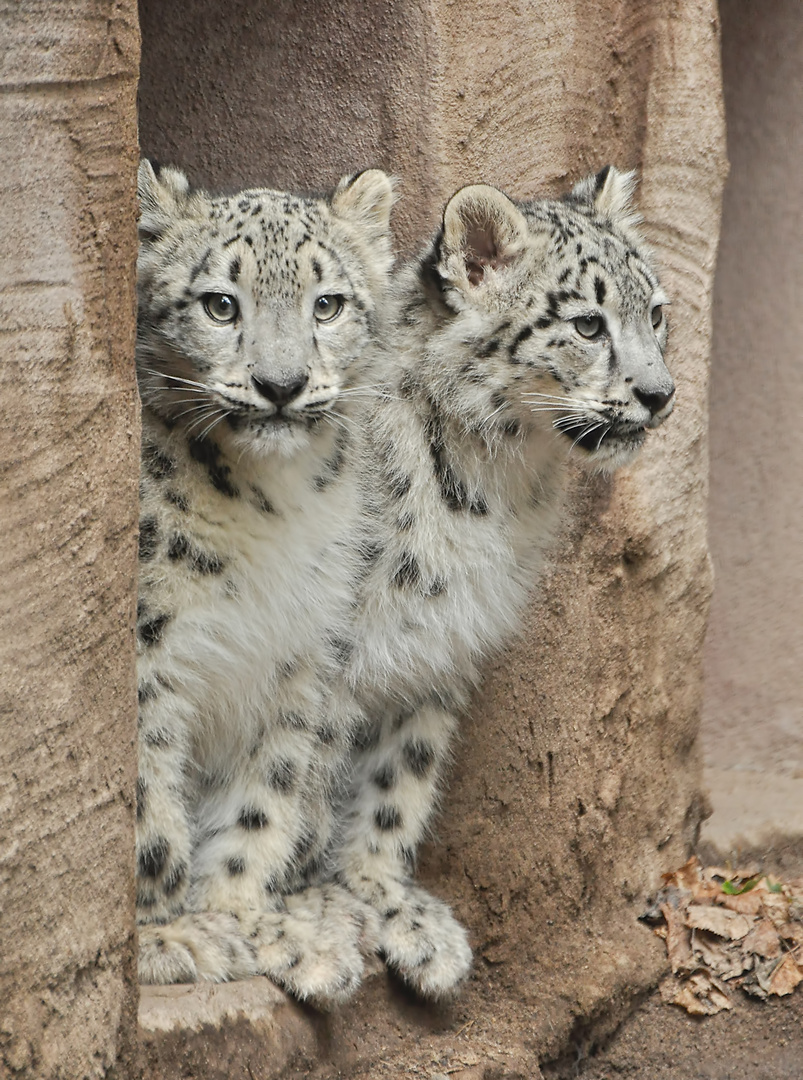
pixel 754 707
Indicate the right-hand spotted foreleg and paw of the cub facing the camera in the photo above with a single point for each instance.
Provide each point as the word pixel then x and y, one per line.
pixel 265 831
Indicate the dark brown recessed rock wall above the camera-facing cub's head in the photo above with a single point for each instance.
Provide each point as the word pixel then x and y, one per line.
pixel 293 96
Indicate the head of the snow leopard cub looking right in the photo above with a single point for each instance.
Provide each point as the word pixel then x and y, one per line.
pixel 567 314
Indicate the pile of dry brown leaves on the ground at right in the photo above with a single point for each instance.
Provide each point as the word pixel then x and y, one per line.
pixel 726 930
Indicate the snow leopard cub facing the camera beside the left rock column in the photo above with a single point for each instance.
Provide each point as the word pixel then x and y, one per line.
pixel 258 316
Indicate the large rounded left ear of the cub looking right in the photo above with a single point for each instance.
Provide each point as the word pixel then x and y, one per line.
pixel 483 231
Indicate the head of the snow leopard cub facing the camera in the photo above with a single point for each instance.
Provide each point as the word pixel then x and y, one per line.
pixel 257 312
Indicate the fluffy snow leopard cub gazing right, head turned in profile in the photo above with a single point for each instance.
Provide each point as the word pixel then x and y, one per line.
pixel 526 335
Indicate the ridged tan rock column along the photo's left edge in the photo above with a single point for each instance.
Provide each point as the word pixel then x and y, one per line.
pixel 69 477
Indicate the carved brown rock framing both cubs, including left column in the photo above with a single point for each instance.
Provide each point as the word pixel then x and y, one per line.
pixel 577 780
